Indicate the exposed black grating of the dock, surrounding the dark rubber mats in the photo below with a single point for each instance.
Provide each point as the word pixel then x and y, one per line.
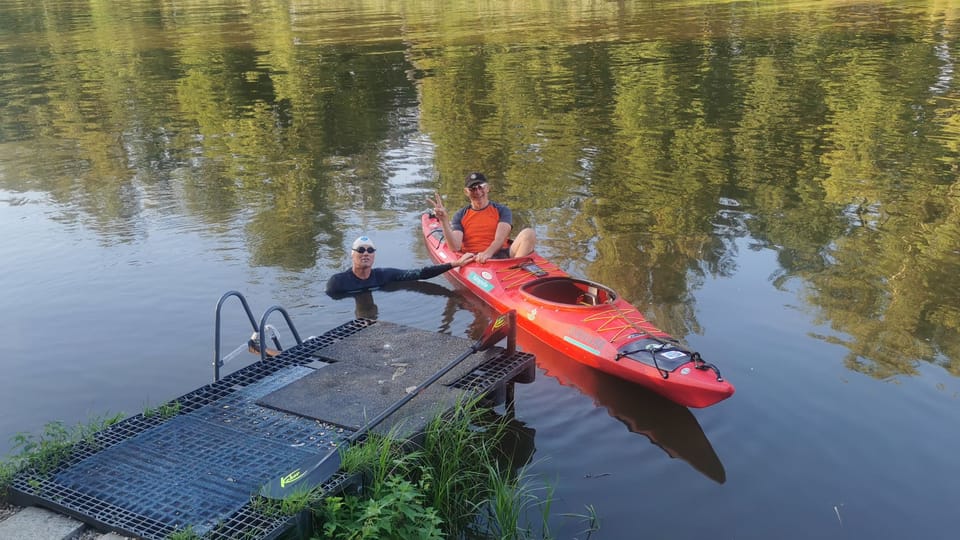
pixel 88 484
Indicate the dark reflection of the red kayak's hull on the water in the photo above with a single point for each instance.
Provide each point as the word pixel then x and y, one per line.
pixel 668 425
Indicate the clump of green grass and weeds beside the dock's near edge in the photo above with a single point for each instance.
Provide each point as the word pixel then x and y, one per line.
pixel 456 484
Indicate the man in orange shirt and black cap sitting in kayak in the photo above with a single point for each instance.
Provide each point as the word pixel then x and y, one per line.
pixel 483 227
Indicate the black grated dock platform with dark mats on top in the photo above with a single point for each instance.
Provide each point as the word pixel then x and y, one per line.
pixel 201 467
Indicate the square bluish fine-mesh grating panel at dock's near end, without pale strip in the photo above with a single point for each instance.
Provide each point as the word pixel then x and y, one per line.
pixel 185 472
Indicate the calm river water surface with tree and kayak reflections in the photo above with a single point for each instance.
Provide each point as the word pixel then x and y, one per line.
pixel 776 183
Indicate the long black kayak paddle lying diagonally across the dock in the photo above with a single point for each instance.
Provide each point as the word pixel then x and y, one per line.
pixel 316 470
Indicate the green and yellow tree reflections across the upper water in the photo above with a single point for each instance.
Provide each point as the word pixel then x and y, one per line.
pixel 634 135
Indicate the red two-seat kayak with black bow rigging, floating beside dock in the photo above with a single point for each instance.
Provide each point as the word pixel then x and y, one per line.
pixel 585 320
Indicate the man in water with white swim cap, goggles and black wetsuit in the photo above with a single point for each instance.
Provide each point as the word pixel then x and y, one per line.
pixel 363 276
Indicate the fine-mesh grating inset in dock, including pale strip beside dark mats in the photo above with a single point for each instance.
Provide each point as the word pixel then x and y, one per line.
pixel 196 468
